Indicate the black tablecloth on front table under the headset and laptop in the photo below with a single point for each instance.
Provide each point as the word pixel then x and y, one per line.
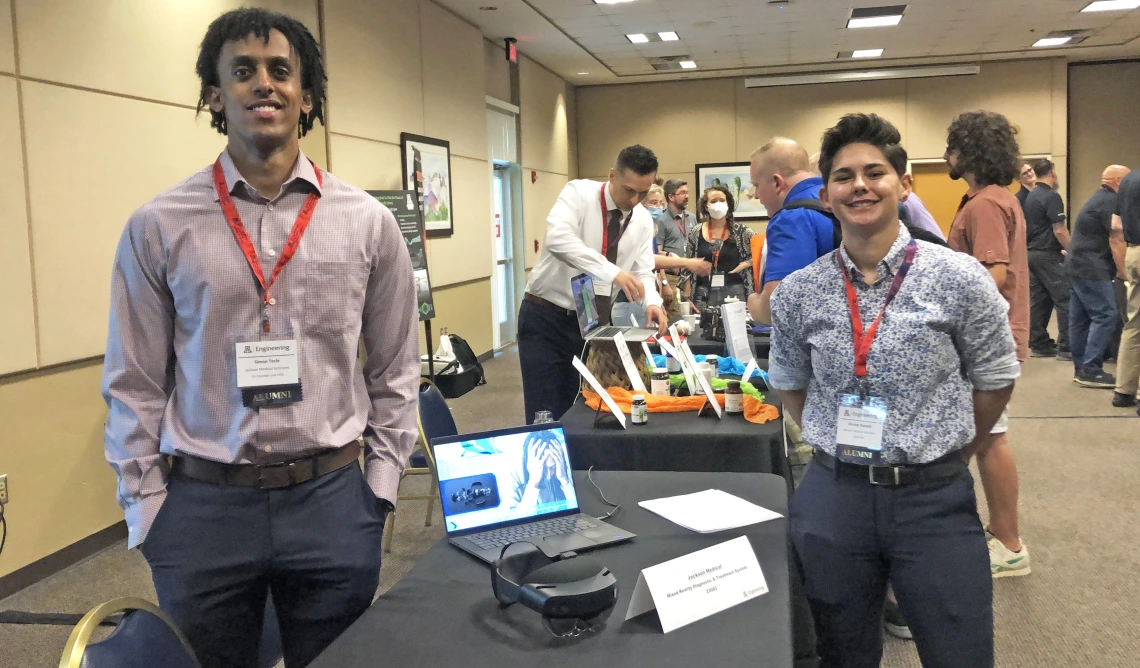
pixel 443 613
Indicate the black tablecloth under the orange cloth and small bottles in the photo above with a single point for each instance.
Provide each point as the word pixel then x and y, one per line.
pixel 677 442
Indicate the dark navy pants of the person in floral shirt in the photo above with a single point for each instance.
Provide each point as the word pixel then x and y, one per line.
pixel 851 537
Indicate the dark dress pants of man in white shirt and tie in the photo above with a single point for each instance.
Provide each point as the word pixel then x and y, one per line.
pixel 549 340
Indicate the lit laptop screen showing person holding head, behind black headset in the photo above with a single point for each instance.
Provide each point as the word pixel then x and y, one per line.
pixel 510 477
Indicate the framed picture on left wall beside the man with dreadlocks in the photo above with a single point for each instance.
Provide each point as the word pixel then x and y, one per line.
pixel 428 173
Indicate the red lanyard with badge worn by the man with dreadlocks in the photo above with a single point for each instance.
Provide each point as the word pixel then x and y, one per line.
pixel 268 370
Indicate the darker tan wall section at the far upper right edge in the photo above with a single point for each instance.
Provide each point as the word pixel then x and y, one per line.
pixel 1102 125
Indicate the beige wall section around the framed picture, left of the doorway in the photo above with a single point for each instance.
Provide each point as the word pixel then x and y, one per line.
pixel 396 71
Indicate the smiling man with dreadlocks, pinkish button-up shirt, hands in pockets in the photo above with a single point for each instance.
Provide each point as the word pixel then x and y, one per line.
pixel 235 394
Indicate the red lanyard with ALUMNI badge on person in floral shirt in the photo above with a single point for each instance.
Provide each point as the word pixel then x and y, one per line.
pixel 859 426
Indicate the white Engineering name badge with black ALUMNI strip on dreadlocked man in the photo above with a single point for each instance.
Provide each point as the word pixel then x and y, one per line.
pixel 268 373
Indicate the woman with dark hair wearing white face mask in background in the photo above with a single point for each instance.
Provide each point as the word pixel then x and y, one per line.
pixel 727 245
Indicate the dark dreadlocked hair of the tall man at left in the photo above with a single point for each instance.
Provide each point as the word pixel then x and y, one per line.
pixel 251 21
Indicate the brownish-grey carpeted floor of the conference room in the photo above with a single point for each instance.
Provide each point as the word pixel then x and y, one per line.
pixel 1080 467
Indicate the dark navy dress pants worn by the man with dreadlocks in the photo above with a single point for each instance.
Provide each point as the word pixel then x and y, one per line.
pixel 216 551
